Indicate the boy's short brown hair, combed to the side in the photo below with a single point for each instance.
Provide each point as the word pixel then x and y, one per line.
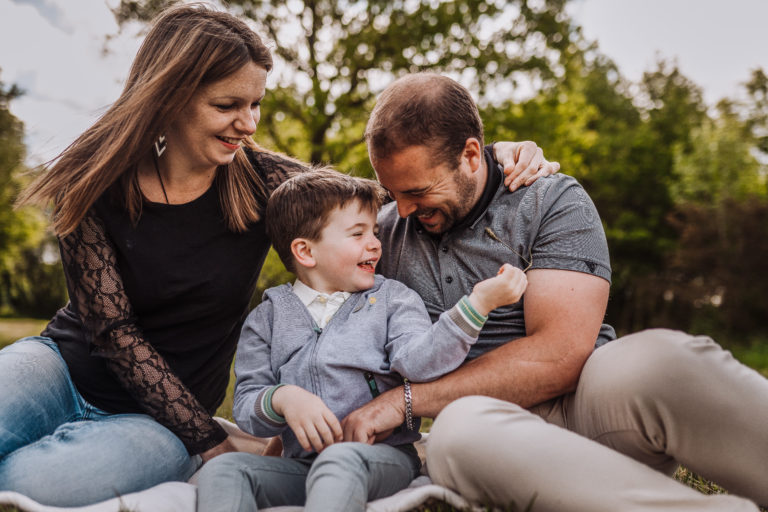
pixel 300 207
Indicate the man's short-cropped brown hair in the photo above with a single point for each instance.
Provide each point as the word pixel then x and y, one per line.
pixel 423 109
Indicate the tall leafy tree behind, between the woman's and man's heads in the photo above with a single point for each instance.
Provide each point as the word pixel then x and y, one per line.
pixel 333 57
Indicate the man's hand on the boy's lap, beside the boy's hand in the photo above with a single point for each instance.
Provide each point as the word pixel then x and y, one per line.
pixel 377 419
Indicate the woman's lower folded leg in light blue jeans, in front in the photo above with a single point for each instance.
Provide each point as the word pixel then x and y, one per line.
pixel 87 461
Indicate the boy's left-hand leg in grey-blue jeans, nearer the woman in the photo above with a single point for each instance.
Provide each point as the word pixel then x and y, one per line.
pixel 244 482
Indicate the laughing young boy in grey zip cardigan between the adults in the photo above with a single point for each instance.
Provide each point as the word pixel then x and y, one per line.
pixel 313 352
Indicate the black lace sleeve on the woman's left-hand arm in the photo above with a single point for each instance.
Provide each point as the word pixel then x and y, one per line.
pixel 98 297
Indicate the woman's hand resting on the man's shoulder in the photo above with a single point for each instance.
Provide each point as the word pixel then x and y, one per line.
pixel 523 163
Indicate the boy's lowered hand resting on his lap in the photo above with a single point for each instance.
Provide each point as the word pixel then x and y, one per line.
pixel 314 425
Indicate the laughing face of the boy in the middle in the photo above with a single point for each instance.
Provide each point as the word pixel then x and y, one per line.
pixel 346 254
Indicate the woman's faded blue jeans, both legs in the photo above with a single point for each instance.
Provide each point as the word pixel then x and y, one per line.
pixel 60 450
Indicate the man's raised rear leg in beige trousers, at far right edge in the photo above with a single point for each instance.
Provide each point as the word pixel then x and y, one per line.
pixel 665 397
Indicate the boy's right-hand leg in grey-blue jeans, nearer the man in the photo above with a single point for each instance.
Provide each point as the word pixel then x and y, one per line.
pixel 345 476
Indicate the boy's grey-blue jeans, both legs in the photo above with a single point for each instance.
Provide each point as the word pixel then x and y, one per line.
pixel 343 477
